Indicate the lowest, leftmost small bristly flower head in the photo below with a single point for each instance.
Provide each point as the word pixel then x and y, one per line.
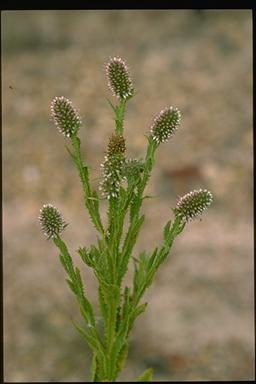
pixel 51 221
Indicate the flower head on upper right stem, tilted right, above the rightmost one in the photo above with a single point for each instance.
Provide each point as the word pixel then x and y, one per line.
pixel 165 124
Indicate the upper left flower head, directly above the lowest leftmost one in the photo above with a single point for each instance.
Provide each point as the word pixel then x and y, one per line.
pixel 65 116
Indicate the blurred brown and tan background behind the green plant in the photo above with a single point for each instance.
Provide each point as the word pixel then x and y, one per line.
pixel 199 323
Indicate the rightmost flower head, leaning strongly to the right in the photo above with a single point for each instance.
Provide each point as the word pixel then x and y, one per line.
pixel 193 204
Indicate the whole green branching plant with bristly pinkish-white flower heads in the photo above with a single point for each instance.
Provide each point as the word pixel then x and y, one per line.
pixel 123 184
